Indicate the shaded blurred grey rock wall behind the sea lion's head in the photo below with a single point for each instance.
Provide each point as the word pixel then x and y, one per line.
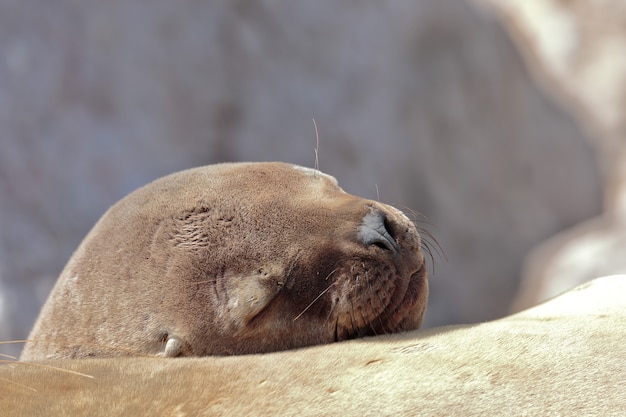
pixel 427 104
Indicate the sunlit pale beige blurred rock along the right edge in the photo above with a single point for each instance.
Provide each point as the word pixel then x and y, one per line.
pixel 577 50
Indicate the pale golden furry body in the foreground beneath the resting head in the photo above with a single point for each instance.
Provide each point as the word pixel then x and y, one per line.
pixel 565 357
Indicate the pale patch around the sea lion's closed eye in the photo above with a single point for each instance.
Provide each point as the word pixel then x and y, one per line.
pixel 249 294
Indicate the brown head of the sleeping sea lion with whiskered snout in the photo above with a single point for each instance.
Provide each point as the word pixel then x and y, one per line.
pixel 234 259
